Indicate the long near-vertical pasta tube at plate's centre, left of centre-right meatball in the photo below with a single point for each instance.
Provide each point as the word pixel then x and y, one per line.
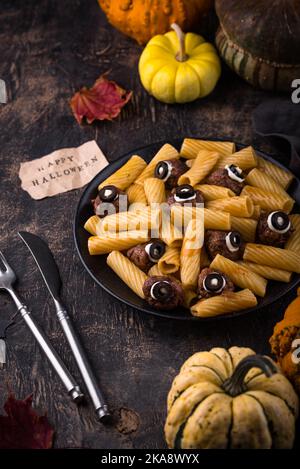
pixel 190 254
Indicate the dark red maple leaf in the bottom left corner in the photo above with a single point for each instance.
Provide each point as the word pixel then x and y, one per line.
pixel 22 427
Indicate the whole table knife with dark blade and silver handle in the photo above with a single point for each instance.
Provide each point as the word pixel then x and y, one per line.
pixel 50 273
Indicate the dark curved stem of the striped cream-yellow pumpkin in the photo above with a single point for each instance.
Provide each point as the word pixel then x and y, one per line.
pixel 235 385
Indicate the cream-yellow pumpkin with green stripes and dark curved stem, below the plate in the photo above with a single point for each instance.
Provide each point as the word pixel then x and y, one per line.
pixel 230 399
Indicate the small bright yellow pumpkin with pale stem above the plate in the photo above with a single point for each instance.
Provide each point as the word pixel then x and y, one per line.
pixel 178 68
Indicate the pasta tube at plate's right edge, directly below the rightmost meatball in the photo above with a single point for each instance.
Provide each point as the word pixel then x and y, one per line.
pixel 273 257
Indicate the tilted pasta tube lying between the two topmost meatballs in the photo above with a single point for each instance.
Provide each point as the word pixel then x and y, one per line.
pixel 203 164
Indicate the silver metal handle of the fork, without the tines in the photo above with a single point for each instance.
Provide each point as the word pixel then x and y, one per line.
pixel 55 360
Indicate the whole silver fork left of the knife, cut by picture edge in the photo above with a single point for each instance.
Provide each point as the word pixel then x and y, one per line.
pixel 7 279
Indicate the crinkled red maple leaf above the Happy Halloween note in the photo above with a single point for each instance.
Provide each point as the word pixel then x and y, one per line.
pixel 103 101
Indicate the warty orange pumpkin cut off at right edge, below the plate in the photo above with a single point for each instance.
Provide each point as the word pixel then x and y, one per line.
pixel 285 333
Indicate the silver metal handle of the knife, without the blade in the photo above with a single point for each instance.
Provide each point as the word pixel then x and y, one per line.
pixel 85 369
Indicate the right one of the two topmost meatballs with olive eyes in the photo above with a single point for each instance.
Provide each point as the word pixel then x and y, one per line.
pixel 231 177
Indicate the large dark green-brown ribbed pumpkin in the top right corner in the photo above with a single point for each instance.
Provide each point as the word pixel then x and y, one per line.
pixel 260 40
